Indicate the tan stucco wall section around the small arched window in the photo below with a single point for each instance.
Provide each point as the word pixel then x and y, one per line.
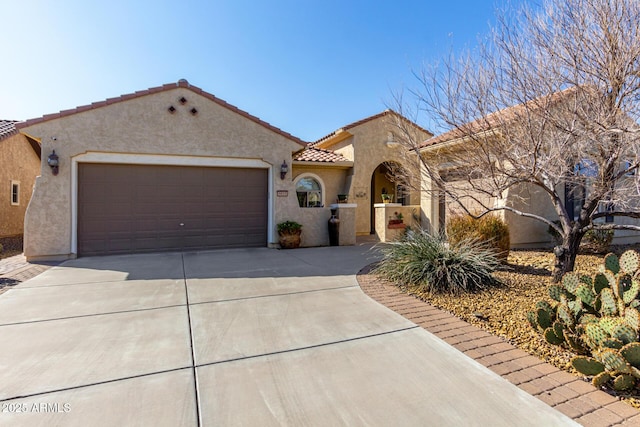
pixel 315 231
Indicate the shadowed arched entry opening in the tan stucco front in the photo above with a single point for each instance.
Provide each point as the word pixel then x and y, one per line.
pixel 389 180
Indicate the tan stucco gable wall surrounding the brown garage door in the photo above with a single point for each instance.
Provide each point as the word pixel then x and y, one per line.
pixel 143 126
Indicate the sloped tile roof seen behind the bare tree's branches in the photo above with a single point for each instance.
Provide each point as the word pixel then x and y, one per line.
pixel 497 118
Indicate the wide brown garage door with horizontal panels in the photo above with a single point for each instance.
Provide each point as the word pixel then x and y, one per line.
pixel 134 208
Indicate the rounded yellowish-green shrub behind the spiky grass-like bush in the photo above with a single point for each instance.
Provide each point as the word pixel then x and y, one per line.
pixel 489 229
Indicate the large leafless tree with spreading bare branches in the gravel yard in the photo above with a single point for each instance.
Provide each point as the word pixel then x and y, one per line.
pixel 551 100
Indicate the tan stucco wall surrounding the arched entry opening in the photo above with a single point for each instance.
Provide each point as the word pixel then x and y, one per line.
pixel 369 150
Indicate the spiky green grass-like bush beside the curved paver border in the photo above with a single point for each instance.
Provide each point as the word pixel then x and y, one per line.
pixel 430 265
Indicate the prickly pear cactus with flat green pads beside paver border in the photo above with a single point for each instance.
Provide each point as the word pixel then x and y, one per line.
pixel 598 318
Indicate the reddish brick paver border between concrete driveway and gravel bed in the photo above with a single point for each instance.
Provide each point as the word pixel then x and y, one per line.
pixel 567 393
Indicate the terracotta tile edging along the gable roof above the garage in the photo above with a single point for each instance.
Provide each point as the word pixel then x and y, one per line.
pixel 181 83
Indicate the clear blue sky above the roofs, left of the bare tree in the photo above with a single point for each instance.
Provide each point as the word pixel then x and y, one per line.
pixel 308 67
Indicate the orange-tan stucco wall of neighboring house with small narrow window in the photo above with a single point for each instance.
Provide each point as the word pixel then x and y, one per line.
pixel 20 163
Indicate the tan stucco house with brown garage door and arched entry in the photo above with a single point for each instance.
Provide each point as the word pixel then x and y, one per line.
pixel 175 168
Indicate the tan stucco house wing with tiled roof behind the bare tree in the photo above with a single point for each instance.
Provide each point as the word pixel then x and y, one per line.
pixel 437 208
